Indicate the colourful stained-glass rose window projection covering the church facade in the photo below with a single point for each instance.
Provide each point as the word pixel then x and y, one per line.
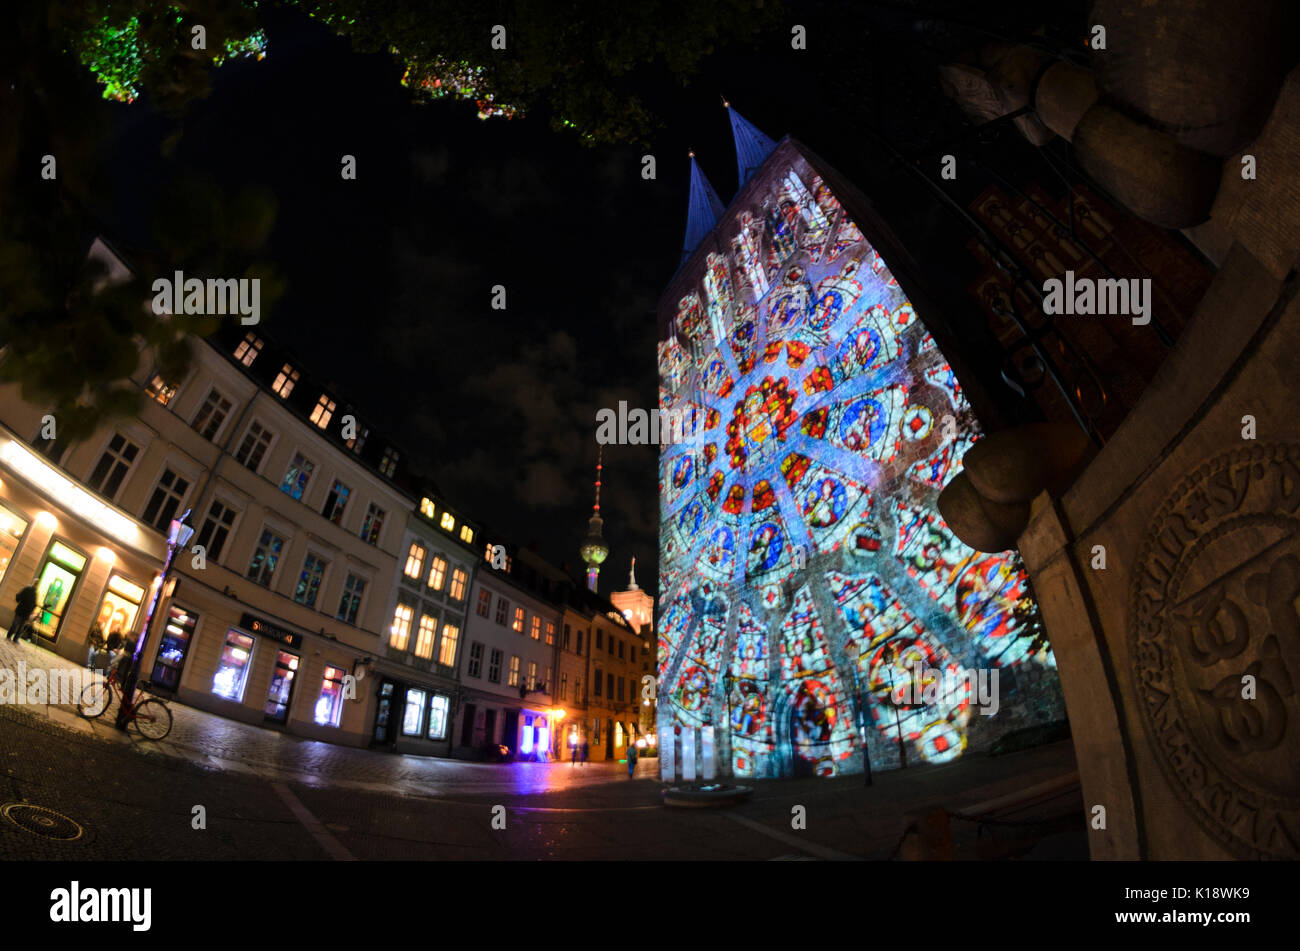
pixel 803 558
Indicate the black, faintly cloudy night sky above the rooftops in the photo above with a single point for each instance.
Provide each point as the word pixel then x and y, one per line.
pixel 391 275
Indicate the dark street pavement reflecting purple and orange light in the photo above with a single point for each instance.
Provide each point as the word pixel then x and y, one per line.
pixel 266 796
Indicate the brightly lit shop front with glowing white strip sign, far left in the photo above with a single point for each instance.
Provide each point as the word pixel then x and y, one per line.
pixel 92 564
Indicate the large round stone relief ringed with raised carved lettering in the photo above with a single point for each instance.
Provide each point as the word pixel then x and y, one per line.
pixel 1215 645
